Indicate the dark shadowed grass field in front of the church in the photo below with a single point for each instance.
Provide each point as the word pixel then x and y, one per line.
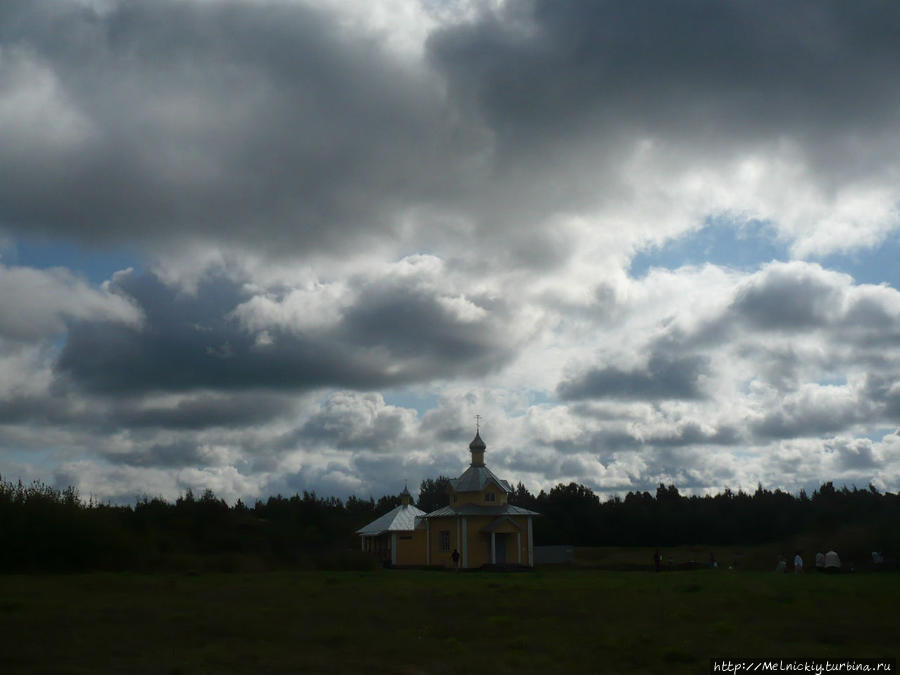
pixel 438 622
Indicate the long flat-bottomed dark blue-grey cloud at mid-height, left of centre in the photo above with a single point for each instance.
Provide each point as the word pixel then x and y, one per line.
pixel 191 342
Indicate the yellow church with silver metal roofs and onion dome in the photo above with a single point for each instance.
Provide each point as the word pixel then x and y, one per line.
pixel 478 523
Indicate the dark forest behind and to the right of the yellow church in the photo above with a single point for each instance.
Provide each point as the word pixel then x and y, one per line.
pixel 575 514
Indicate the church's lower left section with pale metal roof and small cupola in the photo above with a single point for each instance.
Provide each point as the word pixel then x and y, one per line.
pixel 393 538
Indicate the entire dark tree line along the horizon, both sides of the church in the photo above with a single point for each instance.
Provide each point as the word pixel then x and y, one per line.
pixel 47 529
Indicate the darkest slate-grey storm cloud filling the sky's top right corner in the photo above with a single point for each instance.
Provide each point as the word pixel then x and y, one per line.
pixel 702 67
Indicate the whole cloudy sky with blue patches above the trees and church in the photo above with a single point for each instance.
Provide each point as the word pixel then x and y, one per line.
pixel 267 246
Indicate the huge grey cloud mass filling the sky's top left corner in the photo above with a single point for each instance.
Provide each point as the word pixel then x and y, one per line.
pixel 222 119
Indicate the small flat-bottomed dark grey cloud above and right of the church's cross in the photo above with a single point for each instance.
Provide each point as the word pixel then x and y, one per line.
pixel 665 377
